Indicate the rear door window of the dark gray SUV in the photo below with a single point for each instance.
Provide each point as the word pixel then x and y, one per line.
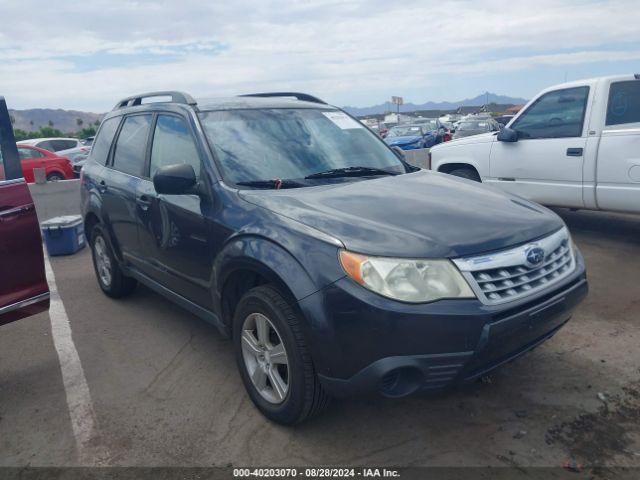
pixel 131 145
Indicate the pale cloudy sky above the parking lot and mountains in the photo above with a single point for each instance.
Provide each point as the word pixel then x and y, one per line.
pixel 85 55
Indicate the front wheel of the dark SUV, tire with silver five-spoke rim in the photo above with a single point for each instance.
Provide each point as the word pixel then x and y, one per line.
pixel 304 397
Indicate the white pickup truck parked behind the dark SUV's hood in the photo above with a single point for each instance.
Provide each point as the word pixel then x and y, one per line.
pixel 574 145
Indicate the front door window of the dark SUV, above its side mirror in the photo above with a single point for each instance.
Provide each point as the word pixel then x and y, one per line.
pixel 173 144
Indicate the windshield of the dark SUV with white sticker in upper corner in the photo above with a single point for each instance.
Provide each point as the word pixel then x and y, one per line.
pixel 268 144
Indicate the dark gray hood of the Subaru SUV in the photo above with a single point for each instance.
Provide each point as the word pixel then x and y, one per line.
pixel 421 214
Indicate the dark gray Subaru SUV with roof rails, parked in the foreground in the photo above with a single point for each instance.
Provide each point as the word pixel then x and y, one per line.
pixel 336 267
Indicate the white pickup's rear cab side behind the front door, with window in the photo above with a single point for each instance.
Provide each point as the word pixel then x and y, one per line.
pixel 618 167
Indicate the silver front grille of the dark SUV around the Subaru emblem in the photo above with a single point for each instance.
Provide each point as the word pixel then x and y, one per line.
pixel 508 275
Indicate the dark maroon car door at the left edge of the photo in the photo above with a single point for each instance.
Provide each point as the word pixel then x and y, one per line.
pixel 23 284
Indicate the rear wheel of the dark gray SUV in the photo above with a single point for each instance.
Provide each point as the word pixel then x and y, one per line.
pixel 115 284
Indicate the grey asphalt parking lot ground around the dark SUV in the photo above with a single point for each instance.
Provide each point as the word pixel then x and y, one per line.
pixel 165 390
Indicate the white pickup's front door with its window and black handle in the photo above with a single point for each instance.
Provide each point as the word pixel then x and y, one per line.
pixel 545 164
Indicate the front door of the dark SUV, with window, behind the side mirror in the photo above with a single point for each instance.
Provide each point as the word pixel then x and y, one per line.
pixel 173 228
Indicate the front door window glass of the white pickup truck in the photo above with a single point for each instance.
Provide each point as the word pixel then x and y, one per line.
pixel 556 114
